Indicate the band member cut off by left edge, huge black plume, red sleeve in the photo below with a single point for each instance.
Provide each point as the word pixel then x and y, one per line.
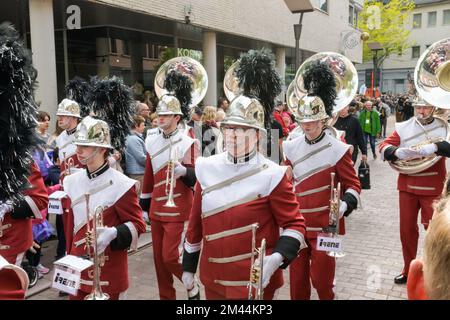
pixel 22 191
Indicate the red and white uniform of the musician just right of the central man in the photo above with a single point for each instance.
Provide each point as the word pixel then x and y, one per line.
pixel 312 165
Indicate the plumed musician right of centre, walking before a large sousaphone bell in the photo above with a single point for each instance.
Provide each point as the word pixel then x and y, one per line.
pixel 313 157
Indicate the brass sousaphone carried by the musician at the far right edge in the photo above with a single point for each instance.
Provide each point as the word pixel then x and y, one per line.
pixel 432 82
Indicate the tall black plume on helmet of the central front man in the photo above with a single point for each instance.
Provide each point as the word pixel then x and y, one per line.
pixel 258 79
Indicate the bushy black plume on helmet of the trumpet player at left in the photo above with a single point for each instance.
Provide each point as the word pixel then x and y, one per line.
pixel 112 101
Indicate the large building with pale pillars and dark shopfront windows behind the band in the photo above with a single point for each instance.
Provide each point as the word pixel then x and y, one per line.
pixel 132 38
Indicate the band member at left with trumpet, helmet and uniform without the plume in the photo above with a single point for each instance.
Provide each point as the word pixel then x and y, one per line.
pixel 122 215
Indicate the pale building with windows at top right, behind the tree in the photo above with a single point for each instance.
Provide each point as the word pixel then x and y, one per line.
pixel 429 22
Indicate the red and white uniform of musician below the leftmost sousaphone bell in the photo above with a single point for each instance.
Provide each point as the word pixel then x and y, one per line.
pixel 168 223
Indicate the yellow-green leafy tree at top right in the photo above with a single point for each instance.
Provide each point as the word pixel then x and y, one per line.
pixel 386 22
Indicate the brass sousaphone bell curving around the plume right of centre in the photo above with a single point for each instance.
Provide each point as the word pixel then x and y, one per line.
pixel 346 78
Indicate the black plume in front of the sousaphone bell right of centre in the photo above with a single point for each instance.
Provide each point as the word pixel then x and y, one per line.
pixel 319 81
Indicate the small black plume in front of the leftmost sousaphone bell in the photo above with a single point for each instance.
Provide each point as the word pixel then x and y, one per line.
pixel 181 87
